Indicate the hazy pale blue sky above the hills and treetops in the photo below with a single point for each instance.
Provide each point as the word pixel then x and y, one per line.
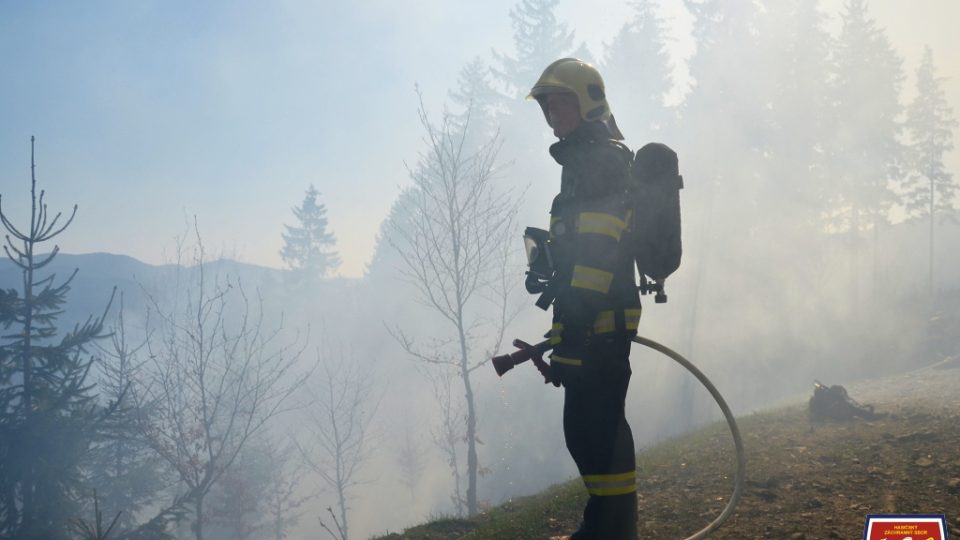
pixel 149 112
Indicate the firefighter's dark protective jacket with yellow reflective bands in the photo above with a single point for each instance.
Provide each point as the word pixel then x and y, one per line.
pixel 594 281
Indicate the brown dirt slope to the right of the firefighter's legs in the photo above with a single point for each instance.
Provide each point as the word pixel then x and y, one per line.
pixel 818 479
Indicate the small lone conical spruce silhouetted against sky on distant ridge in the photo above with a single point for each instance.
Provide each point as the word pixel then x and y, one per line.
pixel 307 248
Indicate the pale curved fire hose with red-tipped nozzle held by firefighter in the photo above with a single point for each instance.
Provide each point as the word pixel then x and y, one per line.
pixel 505 363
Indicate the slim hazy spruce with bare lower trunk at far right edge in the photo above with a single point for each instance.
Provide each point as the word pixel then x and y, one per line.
pixel 929 188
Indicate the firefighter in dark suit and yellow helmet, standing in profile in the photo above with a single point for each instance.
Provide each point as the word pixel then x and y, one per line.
pixel 597 305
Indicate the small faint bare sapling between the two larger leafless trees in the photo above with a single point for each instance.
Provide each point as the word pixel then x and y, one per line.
pixel 337 440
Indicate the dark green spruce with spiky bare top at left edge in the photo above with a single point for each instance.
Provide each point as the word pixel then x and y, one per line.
pixel 48 412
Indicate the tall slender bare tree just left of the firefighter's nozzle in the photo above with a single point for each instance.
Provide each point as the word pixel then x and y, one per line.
pixel 454 241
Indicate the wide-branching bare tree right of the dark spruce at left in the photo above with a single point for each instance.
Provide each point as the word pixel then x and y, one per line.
pixel 216 377
